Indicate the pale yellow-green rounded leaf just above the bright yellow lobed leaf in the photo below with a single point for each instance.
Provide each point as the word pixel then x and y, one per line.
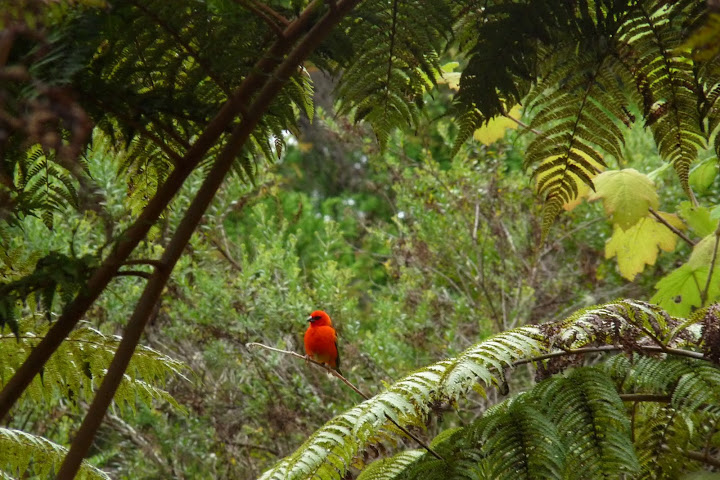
pixel 626 194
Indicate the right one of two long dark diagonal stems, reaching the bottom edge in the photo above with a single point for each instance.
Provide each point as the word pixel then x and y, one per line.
pixel 193 215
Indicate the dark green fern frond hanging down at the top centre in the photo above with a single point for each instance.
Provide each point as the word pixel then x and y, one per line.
pixel 397 46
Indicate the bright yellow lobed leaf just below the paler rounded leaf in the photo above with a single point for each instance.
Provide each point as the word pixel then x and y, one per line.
pixel 638 245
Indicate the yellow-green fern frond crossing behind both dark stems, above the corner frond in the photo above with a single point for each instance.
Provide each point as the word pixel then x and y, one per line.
pixel 80 364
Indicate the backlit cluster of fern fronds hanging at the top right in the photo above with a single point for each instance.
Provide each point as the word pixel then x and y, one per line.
pixel 579 67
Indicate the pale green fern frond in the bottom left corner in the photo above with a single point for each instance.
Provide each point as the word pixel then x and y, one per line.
pixel 21 453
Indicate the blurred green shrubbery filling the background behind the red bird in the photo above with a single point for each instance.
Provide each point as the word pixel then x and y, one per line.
pixel 415 256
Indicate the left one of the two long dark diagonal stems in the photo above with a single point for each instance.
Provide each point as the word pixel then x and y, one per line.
pixel 133 236
